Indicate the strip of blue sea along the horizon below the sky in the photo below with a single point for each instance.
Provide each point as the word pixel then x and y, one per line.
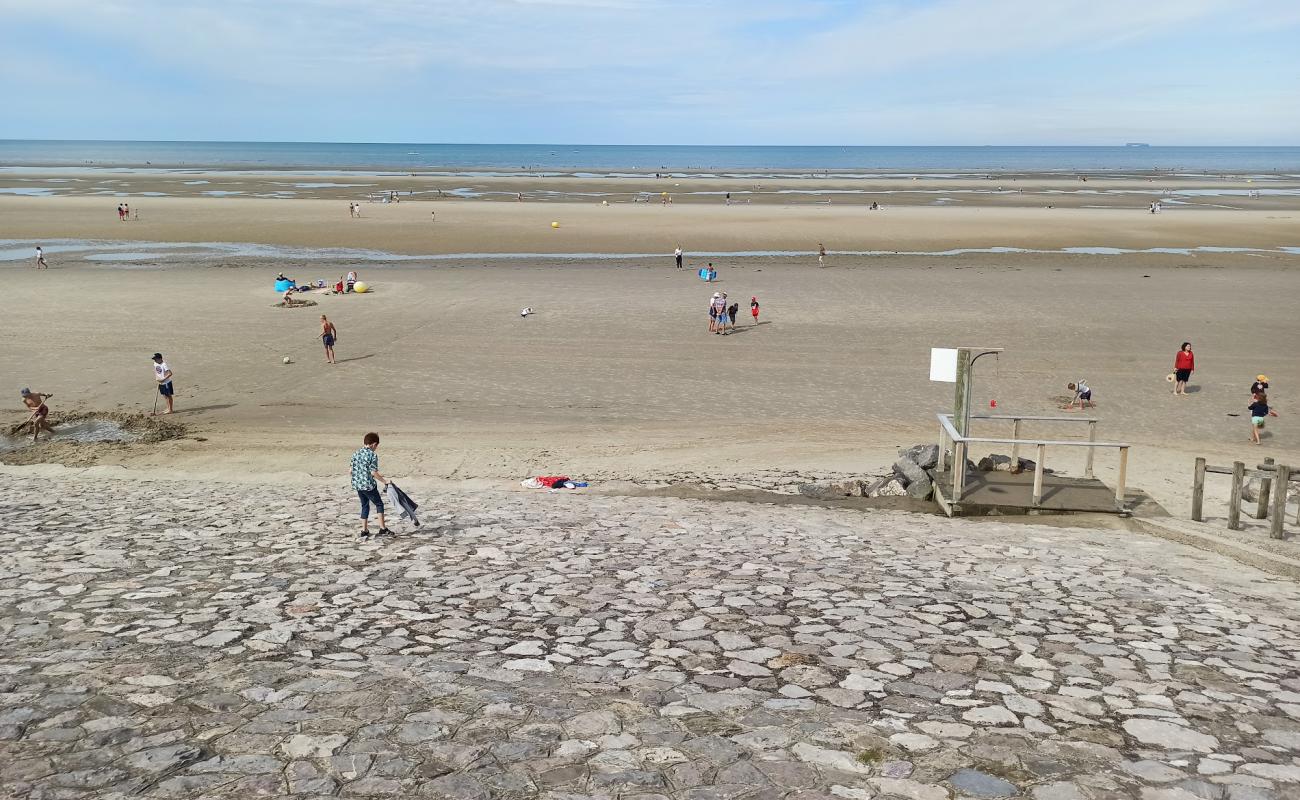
pixel 610 159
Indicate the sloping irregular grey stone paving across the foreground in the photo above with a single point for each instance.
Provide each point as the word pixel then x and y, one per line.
pixel 220 641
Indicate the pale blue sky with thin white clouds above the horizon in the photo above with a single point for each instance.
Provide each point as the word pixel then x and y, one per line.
pixel 664 72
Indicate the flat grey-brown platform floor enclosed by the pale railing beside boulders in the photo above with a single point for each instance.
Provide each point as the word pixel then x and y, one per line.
pixel 1013 494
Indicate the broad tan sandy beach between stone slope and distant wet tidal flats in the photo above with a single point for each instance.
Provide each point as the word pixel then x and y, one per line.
pixel 616 377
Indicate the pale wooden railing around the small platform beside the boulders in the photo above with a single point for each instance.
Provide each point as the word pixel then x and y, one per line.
pixel 961 447
